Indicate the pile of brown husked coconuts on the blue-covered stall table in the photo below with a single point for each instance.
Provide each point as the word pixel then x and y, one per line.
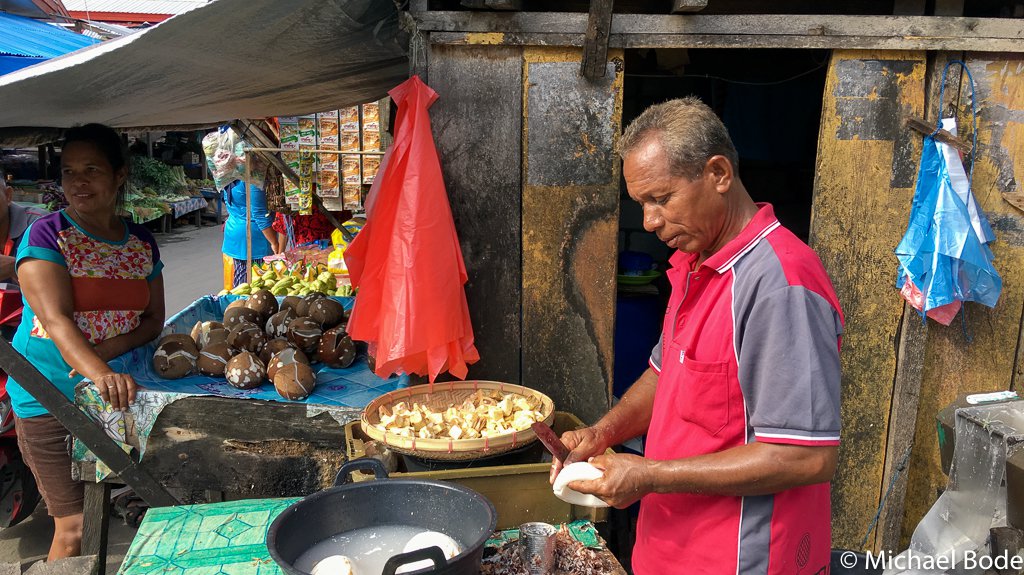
pixel 261 340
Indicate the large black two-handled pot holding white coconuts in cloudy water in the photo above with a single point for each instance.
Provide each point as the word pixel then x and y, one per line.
pixel 458 512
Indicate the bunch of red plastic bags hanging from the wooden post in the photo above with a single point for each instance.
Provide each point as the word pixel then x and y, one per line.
pixel 407 262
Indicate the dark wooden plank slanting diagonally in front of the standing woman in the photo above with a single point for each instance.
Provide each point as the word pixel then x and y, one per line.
pixel 79 425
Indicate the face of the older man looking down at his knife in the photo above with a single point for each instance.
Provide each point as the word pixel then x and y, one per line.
pixel 688 215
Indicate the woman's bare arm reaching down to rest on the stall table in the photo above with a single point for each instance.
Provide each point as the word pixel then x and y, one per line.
pixel 48 290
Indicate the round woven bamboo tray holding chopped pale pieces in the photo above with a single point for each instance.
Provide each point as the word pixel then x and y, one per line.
pixel 440 397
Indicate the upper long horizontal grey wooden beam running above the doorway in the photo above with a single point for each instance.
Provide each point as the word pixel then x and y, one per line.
pixel 834 26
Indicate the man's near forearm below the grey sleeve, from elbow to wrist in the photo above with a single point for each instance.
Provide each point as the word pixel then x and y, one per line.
pixel 754 469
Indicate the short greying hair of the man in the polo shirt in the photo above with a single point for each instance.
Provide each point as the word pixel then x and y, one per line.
pixel 690 132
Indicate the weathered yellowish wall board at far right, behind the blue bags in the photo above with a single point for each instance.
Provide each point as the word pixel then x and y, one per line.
pixel 993 361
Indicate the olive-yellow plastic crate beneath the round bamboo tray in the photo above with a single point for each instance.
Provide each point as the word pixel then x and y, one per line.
pixel 521 493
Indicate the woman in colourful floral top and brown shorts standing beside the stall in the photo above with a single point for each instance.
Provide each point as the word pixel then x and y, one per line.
pixel 94 291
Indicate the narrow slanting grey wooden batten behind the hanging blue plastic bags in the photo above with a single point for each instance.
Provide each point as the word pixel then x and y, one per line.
pixel 913 341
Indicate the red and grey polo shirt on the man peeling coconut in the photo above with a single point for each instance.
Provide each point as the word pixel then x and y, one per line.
pixel 749 352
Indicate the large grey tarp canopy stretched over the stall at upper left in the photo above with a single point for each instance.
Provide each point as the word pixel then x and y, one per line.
pixel 223 61
